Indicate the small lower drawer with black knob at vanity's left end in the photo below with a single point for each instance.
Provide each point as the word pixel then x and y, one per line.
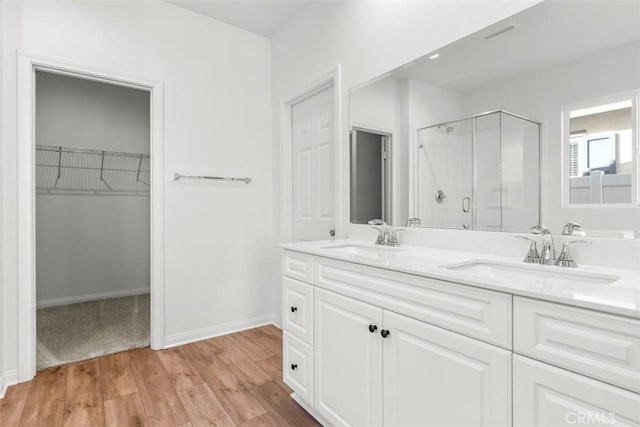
pixel 297 369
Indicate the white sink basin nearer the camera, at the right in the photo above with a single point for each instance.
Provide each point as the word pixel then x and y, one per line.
pixel 530 274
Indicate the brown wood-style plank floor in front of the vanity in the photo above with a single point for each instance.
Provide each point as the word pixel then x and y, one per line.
pixel 233 380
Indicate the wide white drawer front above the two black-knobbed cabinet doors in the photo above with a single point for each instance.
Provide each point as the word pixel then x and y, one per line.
pixel 476 313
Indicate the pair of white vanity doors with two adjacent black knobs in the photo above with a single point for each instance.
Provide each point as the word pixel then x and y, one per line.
pixel 431 376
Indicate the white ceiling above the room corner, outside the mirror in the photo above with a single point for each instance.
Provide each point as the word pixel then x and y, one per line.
pixel 264 17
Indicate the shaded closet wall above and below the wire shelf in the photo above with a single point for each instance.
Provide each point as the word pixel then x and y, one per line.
pixel 89 245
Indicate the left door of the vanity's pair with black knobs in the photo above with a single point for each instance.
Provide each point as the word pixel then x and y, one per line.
pixel 348 360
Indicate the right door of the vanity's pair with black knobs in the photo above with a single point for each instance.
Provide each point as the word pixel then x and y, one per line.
pixel 433 377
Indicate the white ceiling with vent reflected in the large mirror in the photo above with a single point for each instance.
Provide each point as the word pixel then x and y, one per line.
pixel 547 34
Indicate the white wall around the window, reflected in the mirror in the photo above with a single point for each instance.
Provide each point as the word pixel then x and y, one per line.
pixel 540 96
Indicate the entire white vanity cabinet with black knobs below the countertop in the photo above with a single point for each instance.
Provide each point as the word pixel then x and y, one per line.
pixel 368 346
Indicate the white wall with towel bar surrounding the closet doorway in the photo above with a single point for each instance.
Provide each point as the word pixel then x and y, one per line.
pixel 217 120
